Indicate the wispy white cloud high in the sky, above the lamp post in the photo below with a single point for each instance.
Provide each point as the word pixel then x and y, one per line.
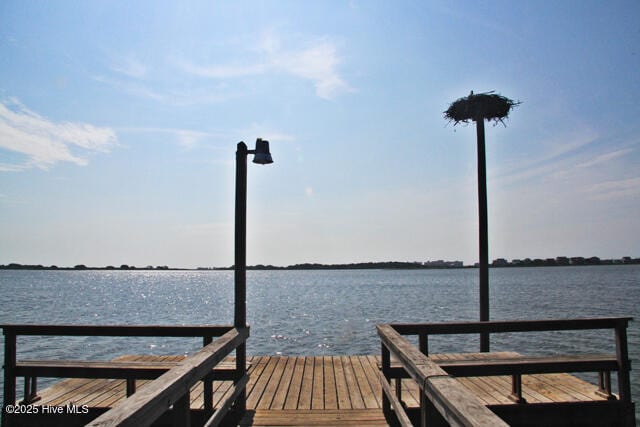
pixel 317 62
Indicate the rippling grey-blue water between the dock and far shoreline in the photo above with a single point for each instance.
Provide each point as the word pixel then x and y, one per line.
pixel 318 312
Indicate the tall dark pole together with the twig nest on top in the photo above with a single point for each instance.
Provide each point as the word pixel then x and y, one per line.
pixel 477 108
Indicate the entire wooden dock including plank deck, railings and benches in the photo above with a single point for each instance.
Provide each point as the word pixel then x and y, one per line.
pixel 405 384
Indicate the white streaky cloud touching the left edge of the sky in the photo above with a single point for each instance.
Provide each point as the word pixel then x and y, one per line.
pixel 45 142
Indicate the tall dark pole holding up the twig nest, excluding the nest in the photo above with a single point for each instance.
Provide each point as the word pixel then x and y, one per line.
pixel 483 233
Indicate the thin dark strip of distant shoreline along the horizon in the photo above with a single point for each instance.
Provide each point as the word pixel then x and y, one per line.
pixel 393 265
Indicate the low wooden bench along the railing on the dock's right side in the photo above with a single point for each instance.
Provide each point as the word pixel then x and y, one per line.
pixel 508 363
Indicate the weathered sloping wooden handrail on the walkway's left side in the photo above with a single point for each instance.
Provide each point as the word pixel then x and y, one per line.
pixel 144 407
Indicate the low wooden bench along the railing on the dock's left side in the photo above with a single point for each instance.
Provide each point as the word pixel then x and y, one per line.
pixel 114 369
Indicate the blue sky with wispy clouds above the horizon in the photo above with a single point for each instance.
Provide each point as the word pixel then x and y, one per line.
pixel 119 123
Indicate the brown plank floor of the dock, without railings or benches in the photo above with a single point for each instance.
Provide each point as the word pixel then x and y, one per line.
pixel 319 390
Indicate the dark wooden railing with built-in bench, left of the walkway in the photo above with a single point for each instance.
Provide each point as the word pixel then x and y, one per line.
pixel 176 377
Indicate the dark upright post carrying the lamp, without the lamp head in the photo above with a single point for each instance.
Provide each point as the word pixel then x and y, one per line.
pixel 240 265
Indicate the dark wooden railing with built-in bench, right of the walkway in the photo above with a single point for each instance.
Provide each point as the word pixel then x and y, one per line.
pixel 413 360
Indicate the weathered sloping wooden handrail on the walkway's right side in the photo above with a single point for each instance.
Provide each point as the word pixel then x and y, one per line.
pixel 454 403
